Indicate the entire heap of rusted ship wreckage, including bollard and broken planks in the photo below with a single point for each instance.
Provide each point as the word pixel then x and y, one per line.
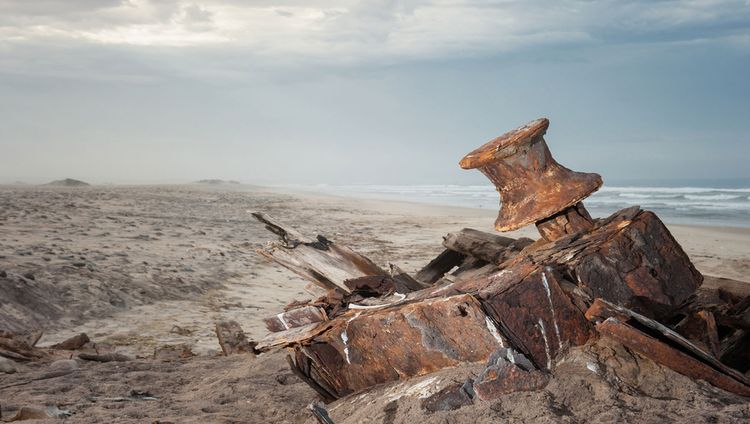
pixel 516 303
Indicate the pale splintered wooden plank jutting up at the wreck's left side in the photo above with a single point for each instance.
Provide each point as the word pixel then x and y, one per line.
pixel 321 261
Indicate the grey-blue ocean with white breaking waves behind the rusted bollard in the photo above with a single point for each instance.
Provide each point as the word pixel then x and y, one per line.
pixel 698 203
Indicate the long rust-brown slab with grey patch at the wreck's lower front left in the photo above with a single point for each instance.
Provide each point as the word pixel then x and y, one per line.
pixel 374 347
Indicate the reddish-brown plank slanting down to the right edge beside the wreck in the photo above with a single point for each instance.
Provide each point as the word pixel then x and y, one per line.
pixel 670 357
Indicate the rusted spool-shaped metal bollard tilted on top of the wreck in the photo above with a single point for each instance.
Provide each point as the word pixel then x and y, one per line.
pixel 531 184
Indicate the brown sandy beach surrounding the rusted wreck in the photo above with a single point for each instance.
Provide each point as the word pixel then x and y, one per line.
pixel 140 267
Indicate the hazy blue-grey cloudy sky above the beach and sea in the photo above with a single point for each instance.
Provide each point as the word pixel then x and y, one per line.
pixel 368 92
